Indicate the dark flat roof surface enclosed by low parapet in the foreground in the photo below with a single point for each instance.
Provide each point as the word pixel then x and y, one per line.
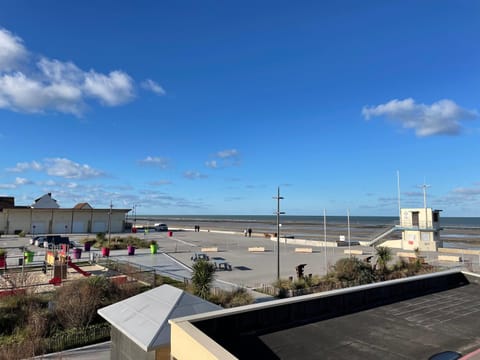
pixel 415 328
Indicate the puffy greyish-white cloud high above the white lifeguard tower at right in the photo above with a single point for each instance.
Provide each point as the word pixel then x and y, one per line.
pixel 440 118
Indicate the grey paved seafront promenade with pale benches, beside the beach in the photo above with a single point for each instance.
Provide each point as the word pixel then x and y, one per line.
pixel 250 268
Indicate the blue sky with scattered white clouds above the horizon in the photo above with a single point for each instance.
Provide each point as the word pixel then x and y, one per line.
pixel 193 107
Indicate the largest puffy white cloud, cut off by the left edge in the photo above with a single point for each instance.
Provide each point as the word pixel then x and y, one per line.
pixel 53 85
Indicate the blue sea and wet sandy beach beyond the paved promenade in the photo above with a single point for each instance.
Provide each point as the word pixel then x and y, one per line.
pixel 459 232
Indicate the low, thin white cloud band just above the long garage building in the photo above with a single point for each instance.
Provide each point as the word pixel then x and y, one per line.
pixel 59 167
